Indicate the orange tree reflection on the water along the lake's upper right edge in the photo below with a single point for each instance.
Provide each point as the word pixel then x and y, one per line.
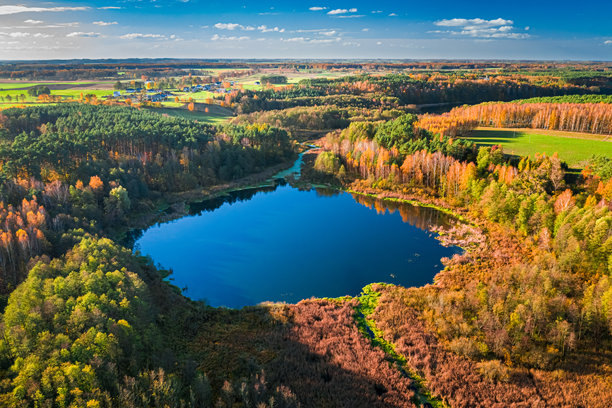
pixel 421 217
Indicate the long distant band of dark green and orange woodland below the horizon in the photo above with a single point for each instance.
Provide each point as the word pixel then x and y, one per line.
pixel 400 90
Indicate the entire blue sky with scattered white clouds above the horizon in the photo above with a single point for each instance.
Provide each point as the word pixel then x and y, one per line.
pixel 510 30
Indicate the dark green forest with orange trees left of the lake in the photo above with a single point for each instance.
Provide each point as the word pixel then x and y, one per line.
pixel 71 169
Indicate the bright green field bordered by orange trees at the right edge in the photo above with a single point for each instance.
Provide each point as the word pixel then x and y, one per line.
pixel 573 148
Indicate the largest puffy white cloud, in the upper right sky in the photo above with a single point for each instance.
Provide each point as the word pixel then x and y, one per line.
pixel 480 28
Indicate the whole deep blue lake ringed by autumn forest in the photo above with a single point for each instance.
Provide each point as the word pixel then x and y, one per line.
pixel 283 244
